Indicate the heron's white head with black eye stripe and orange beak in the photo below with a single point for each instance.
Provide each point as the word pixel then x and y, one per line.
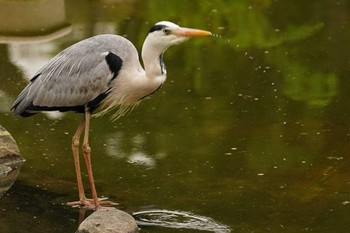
pixel 165 34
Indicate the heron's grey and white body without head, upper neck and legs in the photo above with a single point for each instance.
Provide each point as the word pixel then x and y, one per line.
pixel 101 70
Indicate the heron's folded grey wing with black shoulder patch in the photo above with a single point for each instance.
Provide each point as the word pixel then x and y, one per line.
pixel 76 77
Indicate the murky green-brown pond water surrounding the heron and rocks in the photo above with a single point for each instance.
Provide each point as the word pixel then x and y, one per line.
pixel 251 129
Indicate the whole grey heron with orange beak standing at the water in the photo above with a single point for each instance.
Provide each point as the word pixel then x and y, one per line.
pixel 95 76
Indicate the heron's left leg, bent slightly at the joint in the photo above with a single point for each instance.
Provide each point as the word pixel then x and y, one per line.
pixel 75 149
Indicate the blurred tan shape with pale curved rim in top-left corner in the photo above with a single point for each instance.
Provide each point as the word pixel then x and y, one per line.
pixel 31 21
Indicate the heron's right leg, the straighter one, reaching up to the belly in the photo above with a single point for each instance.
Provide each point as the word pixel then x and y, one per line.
pixel 87 152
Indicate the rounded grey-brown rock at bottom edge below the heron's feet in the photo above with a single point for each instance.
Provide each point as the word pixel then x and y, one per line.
pixel 108 220
